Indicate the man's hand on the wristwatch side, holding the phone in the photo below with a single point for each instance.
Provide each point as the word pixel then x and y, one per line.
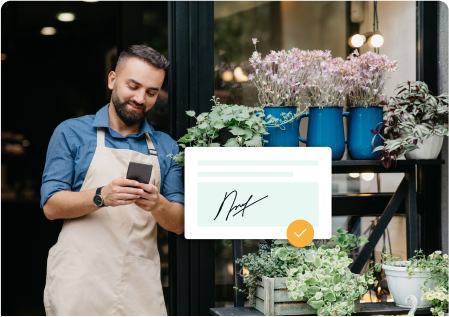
pixel 118 192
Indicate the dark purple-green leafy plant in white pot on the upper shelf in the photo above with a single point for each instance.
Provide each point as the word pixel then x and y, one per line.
pixel 415 121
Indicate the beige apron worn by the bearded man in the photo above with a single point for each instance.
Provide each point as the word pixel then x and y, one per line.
pixel 107 262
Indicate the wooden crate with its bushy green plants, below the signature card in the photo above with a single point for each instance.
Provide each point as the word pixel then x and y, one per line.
pixel 312 280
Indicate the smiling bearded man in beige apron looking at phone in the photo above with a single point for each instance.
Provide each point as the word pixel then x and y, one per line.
pixel 106 260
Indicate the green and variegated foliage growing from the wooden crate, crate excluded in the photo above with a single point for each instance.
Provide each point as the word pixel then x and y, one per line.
pixel 318 273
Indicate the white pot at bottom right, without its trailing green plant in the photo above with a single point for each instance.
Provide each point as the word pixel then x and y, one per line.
pixel 402 285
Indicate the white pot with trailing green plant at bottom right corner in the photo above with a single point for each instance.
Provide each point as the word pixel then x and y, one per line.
pixel 416 277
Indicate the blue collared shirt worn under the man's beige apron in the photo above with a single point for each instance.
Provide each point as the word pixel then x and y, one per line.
pixel 72 148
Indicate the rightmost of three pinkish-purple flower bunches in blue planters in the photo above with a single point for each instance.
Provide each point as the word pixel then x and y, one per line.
pixel 368 74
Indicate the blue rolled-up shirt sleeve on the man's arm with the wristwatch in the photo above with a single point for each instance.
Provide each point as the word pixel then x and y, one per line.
pixel 59 165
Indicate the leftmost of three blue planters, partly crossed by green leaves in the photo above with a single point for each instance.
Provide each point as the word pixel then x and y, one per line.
pixel 288 135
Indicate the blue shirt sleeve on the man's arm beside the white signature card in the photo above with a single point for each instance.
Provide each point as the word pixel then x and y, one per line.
pixel 173 187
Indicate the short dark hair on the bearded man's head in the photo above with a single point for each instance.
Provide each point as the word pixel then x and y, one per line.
pixel 144 53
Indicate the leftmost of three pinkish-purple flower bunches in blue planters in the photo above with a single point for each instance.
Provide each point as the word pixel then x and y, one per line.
pixel 276 78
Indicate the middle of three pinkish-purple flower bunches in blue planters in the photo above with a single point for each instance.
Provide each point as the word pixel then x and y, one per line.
pixel 323 81
